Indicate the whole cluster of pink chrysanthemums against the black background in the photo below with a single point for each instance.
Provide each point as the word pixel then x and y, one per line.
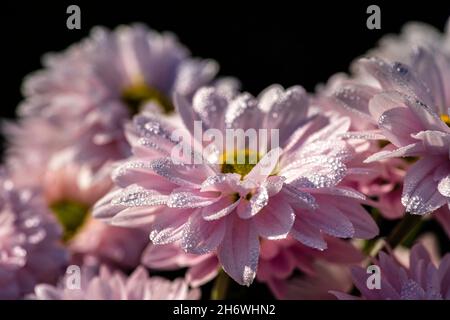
pixel 106 171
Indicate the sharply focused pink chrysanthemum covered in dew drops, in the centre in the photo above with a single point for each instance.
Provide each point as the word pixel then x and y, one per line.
pixel 228 206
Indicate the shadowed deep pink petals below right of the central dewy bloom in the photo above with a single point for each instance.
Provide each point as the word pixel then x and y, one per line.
pixel 321 271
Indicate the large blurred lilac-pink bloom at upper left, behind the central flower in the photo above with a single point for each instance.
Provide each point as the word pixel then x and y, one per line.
pixel 78 105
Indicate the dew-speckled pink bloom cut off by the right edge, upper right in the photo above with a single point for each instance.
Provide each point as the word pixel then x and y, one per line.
pixel 410 105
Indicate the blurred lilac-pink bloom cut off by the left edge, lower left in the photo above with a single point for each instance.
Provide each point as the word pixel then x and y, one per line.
pixel 30 251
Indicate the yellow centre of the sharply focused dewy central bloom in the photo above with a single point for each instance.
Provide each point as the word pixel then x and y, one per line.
pixel 239 161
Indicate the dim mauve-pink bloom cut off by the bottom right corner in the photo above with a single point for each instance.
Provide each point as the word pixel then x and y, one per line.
pixel 421 280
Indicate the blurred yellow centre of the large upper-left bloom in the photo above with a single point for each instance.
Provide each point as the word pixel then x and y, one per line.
pixel 136 95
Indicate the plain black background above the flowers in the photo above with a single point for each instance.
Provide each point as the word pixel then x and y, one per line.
pixel 261 42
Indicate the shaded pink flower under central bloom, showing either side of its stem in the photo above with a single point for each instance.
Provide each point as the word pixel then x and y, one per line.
pixel 283 264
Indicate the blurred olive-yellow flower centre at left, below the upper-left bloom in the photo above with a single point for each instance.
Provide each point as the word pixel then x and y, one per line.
pixel 71 215
